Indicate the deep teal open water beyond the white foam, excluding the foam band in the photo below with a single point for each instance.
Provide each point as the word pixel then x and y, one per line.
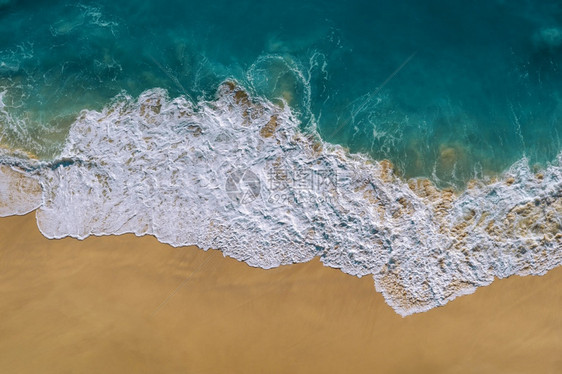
pixel 446 89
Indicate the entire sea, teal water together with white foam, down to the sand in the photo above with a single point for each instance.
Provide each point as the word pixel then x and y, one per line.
pixel 259 128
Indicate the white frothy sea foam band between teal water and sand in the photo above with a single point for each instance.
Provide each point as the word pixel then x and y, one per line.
pixel 236 174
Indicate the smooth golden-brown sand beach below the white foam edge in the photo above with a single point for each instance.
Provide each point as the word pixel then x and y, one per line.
pixel 127 304
